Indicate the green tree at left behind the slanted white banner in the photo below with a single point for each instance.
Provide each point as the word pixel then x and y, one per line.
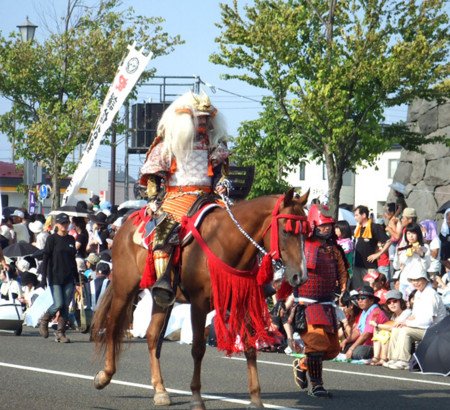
pixel 58 86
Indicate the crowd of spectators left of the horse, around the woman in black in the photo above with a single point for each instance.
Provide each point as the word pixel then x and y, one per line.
pixel 25 277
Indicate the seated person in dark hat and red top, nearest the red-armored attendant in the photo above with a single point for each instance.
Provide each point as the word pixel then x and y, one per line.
pixel 362 347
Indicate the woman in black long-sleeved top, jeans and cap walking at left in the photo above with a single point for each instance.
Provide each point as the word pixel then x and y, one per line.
pixel 60 272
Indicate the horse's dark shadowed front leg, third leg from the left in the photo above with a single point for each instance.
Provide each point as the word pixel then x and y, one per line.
pixel 198 319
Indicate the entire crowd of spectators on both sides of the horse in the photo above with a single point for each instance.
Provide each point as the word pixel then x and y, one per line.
pixel 398 276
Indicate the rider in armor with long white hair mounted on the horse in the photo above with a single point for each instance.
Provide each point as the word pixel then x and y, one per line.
pixel 189 158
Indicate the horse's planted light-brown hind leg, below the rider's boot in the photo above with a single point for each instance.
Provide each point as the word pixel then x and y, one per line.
pixel 156 327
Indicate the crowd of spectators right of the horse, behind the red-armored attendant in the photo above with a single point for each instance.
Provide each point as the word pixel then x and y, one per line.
pixel 399 286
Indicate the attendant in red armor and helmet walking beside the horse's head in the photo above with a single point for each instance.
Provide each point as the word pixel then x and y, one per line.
pixel 327 272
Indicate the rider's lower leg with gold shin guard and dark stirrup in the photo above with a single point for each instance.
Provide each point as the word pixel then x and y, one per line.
pixel 162 290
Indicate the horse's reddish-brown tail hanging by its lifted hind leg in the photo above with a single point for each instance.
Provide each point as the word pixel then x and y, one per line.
pixel 104 332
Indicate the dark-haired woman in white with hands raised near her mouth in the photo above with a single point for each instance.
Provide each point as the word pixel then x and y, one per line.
pixel 411 258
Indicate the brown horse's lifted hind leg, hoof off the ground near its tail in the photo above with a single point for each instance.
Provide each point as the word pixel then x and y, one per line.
pixel 113 332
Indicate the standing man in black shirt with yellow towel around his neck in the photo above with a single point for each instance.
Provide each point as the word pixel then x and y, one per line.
pixel 367 235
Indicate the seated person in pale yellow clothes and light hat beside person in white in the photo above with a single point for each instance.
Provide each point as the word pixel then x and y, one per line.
pixel 398 312
